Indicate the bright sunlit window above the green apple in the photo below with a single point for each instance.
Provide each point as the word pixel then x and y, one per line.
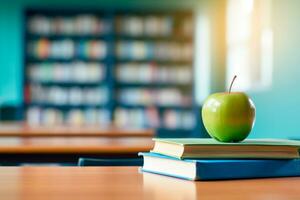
pixel 249 44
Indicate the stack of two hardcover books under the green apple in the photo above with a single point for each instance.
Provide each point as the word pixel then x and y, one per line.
pixel 208 159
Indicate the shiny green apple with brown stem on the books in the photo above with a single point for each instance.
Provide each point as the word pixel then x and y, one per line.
pixel 228 116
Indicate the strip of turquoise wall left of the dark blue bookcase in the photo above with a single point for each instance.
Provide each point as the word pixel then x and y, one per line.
pixel 10 53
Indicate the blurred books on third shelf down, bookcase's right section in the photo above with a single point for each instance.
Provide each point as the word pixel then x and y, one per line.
pixel 153 73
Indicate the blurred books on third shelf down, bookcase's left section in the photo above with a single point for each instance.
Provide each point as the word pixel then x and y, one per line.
pixel 74 72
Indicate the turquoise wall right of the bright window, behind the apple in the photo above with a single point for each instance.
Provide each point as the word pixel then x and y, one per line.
pixel 278 108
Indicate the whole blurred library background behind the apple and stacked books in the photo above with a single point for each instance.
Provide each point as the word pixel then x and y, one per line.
pixel 131 69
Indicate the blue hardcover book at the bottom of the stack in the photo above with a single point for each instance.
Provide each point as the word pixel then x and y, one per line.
pixel 203 169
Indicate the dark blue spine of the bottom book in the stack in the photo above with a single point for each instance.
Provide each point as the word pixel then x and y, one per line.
pixel 245 169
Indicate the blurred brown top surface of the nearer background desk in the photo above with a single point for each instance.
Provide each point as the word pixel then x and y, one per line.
pixel 73 145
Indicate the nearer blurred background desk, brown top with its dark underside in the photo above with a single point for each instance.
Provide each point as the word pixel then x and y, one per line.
pixel 15 150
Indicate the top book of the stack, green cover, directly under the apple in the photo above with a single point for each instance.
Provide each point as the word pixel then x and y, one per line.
pixel 211 149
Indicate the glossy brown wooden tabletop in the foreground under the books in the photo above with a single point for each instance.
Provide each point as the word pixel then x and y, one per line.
pixel 128 183
